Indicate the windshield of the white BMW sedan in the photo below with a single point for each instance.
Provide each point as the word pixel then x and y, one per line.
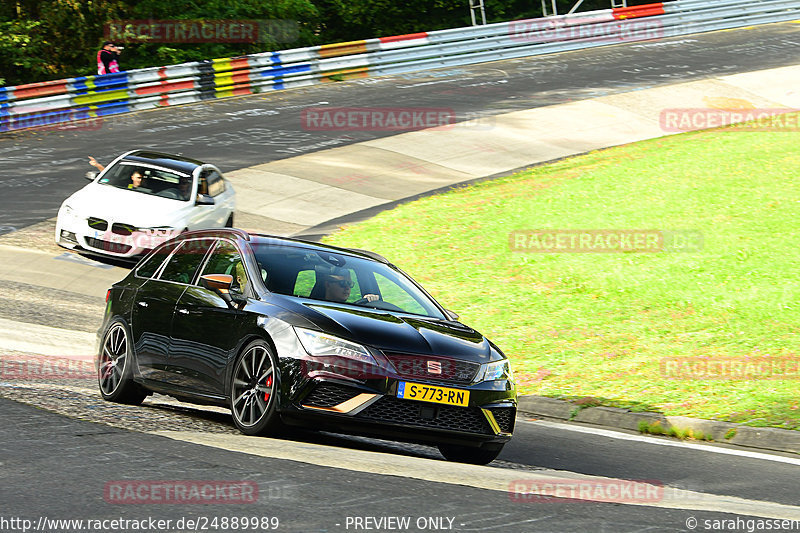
pixel 147 180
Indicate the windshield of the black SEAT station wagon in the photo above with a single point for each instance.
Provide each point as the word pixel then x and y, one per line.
pixel 332 277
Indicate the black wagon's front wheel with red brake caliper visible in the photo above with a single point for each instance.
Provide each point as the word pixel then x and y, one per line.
pixel 254 391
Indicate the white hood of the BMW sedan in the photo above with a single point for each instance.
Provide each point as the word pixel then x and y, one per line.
pixel 122 205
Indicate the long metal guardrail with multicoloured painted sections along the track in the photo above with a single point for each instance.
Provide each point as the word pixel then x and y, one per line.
pixel 54 102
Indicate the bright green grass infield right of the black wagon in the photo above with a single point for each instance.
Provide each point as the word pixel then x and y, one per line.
pixel 597 325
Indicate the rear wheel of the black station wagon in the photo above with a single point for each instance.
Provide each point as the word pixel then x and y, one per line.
pixel 115 366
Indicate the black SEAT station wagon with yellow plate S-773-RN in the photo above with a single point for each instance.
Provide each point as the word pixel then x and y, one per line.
pixel 291 333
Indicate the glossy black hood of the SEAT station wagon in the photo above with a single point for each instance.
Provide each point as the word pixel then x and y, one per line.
pixel 402 333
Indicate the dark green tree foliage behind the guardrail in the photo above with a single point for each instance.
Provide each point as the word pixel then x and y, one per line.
pixel 52 39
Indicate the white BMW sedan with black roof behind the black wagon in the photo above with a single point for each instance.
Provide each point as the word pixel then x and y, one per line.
pixel 142 199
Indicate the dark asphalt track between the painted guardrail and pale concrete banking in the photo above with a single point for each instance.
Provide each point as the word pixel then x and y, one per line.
pixel 38 169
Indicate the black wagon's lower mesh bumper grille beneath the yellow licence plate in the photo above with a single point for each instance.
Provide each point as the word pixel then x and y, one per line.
pixel 394 410
